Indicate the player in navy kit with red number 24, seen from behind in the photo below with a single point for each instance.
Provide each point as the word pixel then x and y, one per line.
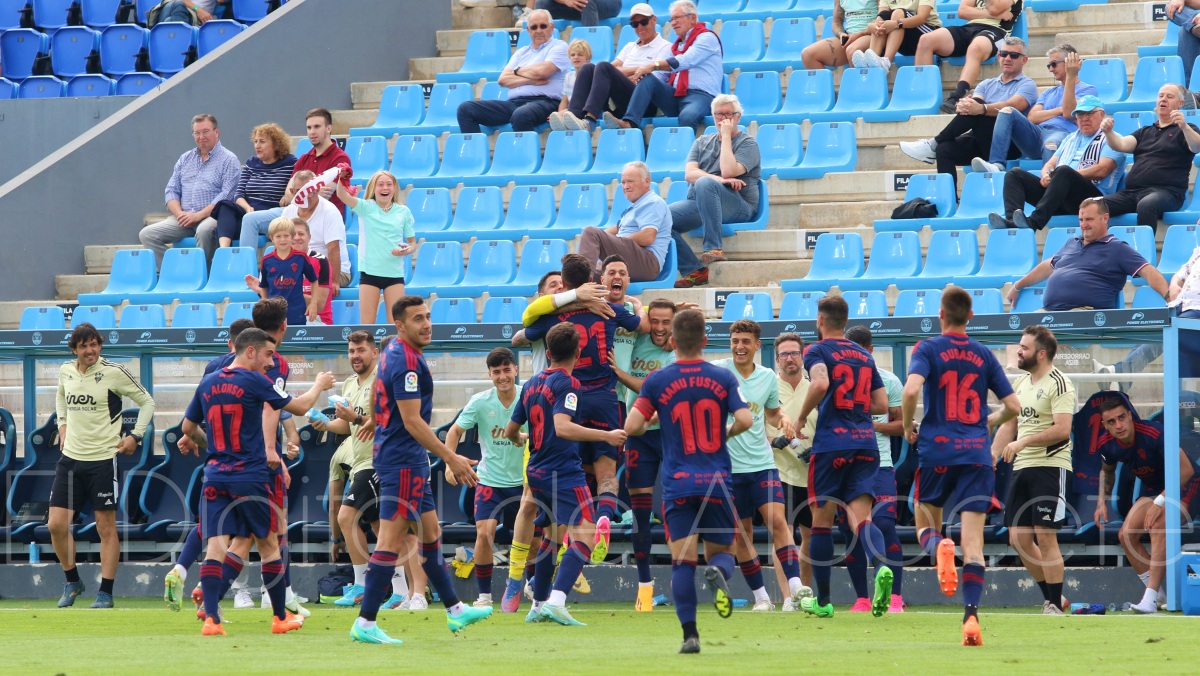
pixel 848 387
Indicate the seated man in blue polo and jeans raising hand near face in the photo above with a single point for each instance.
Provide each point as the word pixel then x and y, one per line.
pixel 1037 134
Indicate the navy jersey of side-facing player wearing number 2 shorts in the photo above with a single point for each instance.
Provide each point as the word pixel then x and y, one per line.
pixel 403 375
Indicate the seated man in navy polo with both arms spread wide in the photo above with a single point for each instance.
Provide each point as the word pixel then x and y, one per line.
pixel 1090 272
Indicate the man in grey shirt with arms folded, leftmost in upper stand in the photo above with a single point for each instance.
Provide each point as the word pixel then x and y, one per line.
pixel 535 79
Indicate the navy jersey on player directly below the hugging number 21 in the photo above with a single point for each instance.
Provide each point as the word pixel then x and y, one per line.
pixel 544 397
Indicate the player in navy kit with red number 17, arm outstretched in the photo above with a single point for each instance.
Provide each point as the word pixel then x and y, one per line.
pixel 237 499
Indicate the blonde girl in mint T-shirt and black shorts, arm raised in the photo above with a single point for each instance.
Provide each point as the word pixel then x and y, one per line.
pixel 386 237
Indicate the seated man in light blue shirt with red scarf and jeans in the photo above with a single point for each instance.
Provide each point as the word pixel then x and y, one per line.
pixel 695 79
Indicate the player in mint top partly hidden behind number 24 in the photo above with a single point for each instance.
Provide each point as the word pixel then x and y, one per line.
pixel 884 515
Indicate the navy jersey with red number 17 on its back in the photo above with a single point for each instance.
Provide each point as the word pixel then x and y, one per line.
pixel 230 403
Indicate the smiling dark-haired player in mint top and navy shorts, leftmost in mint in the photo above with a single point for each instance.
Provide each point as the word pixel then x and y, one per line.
pixel 501 469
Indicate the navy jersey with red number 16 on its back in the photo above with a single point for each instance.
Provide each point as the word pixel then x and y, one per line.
pixel 958 375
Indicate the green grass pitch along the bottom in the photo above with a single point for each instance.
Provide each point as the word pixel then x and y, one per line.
pixel 142 637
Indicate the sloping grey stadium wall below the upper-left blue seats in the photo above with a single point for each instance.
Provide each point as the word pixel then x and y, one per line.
pixel 98 188
